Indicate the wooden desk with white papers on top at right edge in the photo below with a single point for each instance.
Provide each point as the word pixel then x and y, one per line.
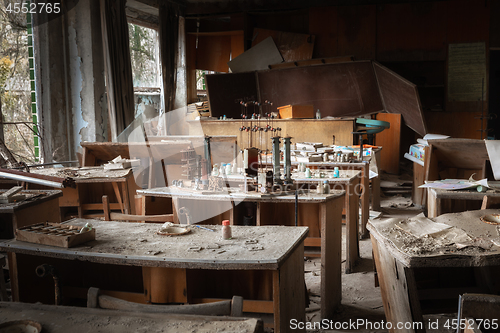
pixel 454 201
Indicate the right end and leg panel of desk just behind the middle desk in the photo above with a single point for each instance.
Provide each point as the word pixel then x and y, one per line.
pixel 349 181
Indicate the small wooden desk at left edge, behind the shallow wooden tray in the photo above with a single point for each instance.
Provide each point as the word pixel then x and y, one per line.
pixel 39 206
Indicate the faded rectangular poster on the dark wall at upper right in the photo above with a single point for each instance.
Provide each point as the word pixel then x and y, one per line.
pixel 466 72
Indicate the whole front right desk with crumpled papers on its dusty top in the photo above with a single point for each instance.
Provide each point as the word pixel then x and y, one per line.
pixel 424 275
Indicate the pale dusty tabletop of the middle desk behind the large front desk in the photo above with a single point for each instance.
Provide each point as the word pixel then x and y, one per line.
pixel 173 191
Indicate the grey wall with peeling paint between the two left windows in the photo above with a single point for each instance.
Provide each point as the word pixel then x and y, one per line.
pixel 71 71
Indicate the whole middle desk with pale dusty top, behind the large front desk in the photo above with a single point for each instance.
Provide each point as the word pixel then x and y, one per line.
pixel 322 213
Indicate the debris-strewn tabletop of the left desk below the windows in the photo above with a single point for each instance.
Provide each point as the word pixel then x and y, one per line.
pixel 80 174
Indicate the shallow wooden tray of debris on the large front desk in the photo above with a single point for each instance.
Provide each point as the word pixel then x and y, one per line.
pixel 54 234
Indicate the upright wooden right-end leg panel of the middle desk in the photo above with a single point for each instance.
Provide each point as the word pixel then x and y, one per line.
pixel 331 240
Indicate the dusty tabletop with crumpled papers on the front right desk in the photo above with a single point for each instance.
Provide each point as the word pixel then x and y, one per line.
pixel 468 242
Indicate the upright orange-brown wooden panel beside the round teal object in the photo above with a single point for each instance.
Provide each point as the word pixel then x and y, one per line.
pixel 390 140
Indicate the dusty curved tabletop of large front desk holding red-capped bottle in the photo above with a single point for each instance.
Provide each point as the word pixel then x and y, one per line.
pixel 126 243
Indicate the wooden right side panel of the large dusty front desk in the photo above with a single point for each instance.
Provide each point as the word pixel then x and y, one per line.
pixel 289 292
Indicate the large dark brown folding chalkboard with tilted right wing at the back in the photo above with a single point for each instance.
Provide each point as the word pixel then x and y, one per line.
pixel 346 89
